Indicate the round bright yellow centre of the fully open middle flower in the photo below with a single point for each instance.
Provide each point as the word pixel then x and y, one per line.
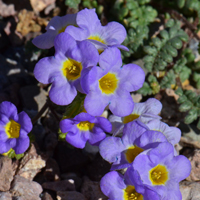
pixel 108 83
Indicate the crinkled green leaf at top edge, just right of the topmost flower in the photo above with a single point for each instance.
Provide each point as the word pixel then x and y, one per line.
pixel 135 16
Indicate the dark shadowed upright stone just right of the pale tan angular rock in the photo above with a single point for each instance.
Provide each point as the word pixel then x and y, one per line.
pixel 52 171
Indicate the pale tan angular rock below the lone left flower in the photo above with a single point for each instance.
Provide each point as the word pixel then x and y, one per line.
pixel 31 164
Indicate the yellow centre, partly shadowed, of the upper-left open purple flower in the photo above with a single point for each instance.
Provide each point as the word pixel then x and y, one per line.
pixel 71 69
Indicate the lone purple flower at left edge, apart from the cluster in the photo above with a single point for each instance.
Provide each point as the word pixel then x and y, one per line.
pixel 14 129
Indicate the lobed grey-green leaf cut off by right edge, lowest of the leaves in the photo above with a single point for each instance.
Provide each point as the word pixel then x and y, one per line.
pixel 190 102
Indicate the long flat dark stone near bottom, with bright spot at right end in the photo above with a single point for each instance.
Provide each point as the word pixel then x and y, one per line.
pixel 65 185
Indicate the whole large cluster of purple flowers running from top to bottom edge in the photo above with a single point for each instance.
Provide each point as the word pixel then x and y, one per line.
pixel 87 60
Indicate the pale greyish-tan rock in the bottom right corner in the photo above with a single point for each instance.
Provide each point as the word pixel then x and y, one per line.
pixel 190 191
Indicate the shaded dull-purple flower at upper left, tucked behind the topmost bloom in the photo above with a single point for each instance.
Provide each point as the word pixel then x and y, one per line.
pixel 55 26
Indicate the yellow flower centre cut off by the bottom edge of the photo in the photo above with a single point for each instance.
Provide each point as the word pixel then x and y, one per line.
pixel 131 194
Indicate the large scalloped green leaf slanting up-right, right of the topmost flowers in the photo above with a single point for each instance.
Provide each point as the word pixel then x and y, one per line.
pixel 164 48
